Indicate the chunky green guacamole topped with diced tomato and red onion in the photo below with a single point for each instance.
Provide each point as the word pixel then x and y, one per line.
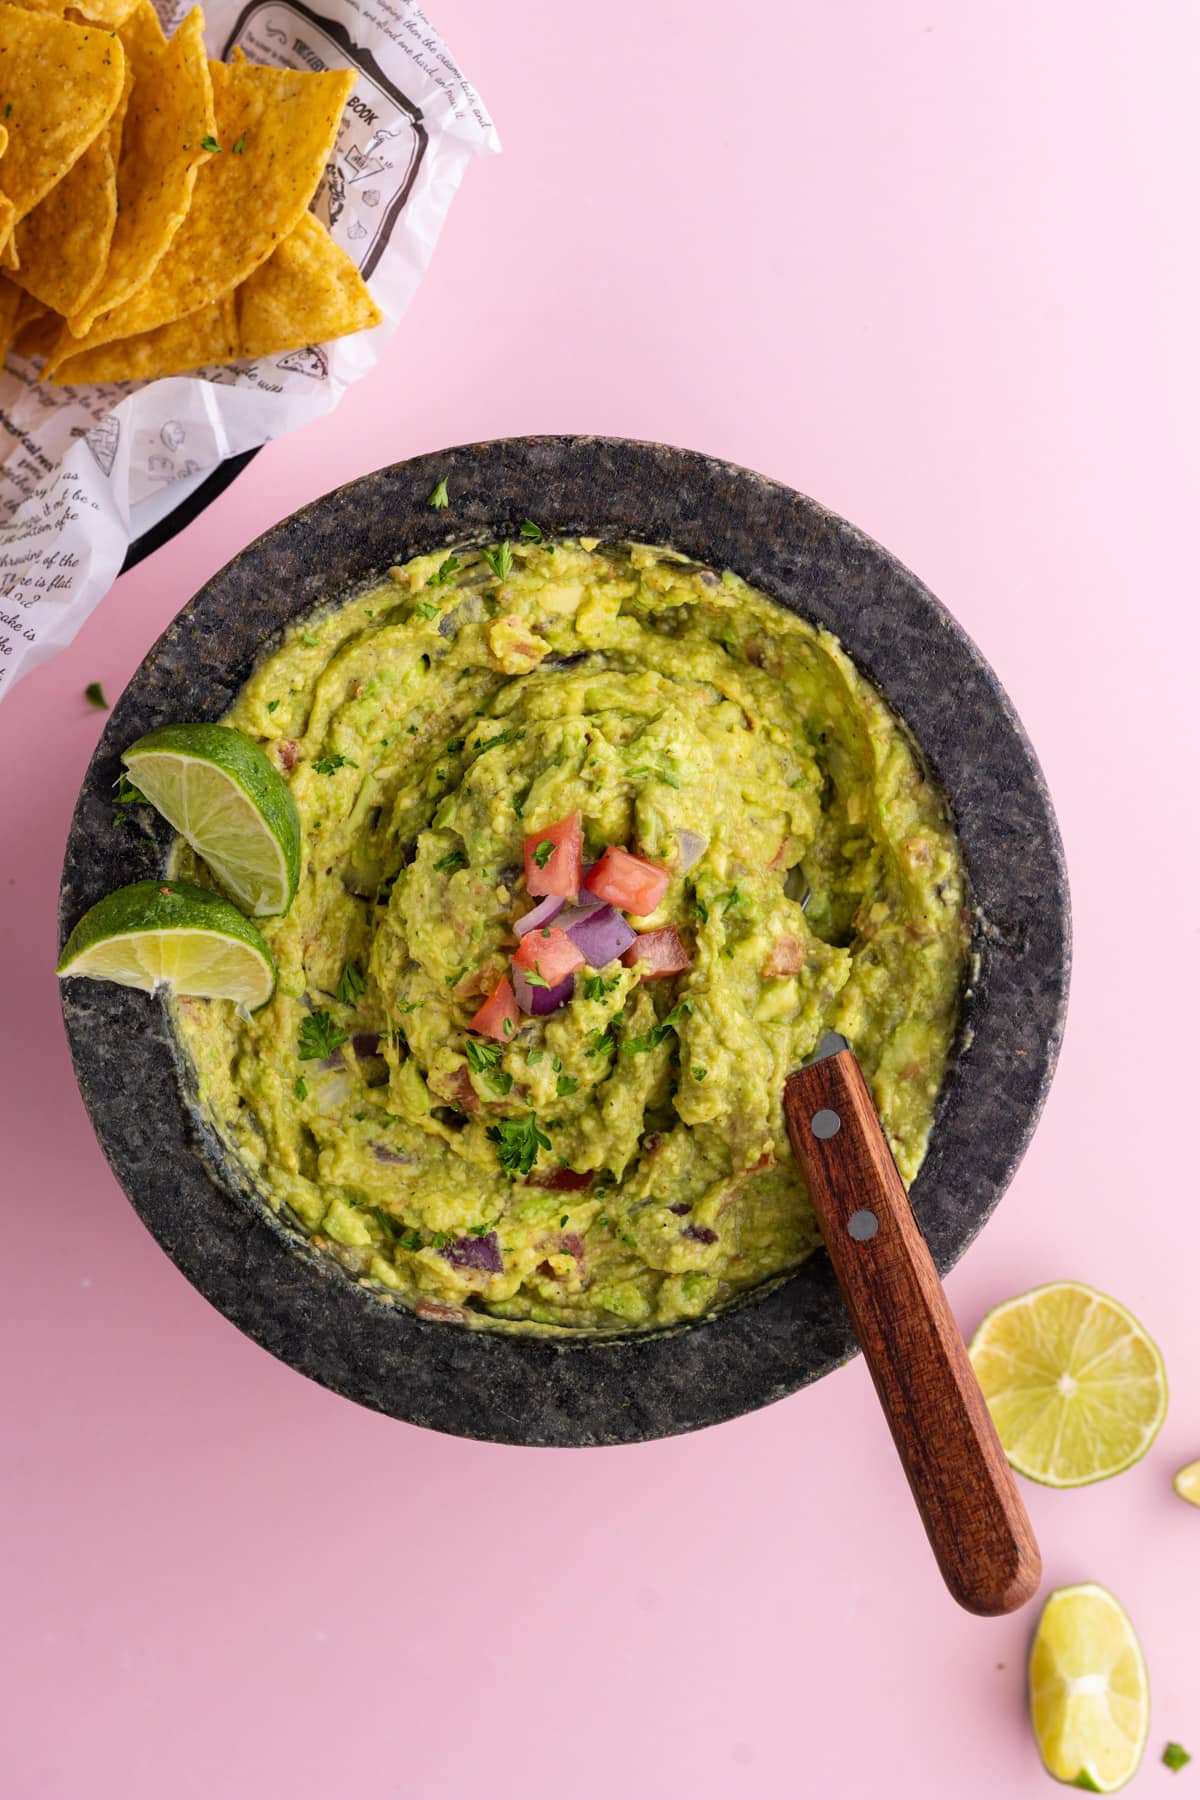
pixel 604 1149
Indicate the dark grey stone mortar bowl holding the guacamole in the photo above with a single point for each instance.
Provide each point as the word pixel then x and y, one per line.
pixel 595 1390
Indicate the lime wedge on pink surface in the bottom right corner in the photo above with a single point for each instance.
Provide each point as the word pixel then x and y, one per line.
pixel 1089 1698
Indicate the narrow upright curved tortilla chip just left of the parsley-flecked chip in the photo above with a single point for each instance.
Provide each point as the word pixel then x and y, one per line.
pixel 166 123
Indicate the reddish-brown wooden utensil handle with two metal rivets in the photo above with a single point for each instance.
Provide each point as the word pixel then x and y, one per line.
pixel 918 1362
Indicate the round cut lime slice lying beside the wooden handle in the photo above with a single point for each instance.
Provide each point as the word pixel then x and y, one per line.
pixel 1075 1385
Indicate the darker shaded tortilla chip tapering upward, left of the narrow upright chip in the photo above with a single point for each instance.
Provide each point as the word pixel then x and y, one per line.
pixel 64 242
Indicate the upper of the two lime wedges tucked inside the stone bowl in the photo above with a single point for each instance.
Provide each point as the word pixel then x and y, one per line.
pixel 231 804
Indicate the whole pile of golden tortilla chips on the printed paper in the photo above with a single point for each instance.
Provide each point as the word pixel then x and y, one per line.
pixel 154 204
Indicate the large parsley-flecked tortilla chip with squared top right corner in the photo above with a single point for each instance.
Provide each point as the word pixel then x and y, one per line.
pixel 276 129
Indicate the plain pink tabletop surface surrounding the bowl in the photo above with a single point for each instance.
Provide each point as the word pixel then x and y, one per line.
pixel 933 262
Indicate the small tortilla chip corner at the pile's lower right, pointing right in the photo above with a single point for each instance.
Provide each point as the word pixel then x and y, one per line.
pixel 307 292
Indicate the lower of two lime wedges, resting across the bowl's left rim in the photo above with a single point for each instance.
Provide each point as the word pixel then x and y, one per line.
pixel 177 939
